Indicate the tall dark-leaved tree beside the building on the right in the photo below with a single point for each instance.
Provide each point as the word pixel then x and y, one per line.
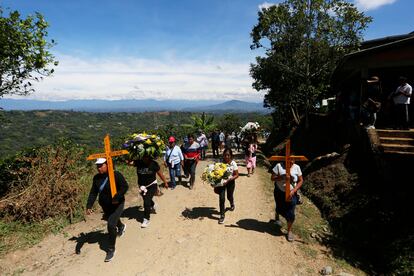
pixel 303 41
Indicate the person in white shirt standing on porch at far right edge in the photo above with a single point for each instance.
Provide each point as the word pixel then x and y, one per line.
pixel 401 98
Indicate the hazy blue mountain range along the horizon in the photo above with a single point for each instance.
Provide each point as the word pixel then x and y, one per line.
pixel 133 105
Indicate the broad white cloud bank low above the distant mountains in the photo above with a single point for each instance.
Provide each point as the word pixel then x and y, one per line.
pixel 132 78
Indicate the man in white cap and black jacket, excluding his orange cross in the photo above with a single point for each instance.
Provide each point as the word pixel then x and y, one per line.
pixel 112 207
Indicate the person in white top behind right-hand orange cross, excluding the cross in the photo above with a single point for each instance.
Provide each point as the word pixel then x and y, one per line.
pixel 286 208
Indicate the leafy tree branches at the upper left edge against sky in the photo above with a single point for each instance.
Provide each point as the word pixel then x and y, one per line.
pixel 24 55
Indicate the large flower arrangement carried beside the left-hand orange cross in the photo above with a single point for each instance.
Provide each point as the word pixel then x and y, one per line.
pixel 140 144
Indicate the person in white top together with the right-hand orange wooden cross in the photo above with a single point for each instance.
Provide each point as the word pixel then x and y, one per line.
pixel 288 181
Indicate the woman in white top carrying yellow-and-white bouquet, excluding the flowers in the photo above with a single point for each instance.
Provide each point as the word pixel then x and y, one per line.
pixel 228 186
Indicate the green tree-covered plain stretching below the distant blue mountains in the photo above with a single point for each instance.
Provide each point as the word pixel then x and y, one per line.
pixel 25 129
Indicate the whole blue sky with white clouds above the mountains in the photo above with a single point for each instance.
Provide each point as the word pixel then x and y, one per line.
pixel 163 49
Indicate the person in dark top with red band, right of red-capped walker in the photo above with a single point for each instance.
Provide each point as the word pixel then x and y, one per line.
pixel 191 156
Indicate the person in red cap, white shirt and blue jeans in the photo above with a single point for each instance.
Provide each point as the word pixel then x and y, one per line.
pixel 173 160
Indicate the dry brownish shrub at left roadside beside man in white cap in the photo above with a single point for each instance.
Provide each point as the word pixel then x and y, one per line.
pixel 46 182
